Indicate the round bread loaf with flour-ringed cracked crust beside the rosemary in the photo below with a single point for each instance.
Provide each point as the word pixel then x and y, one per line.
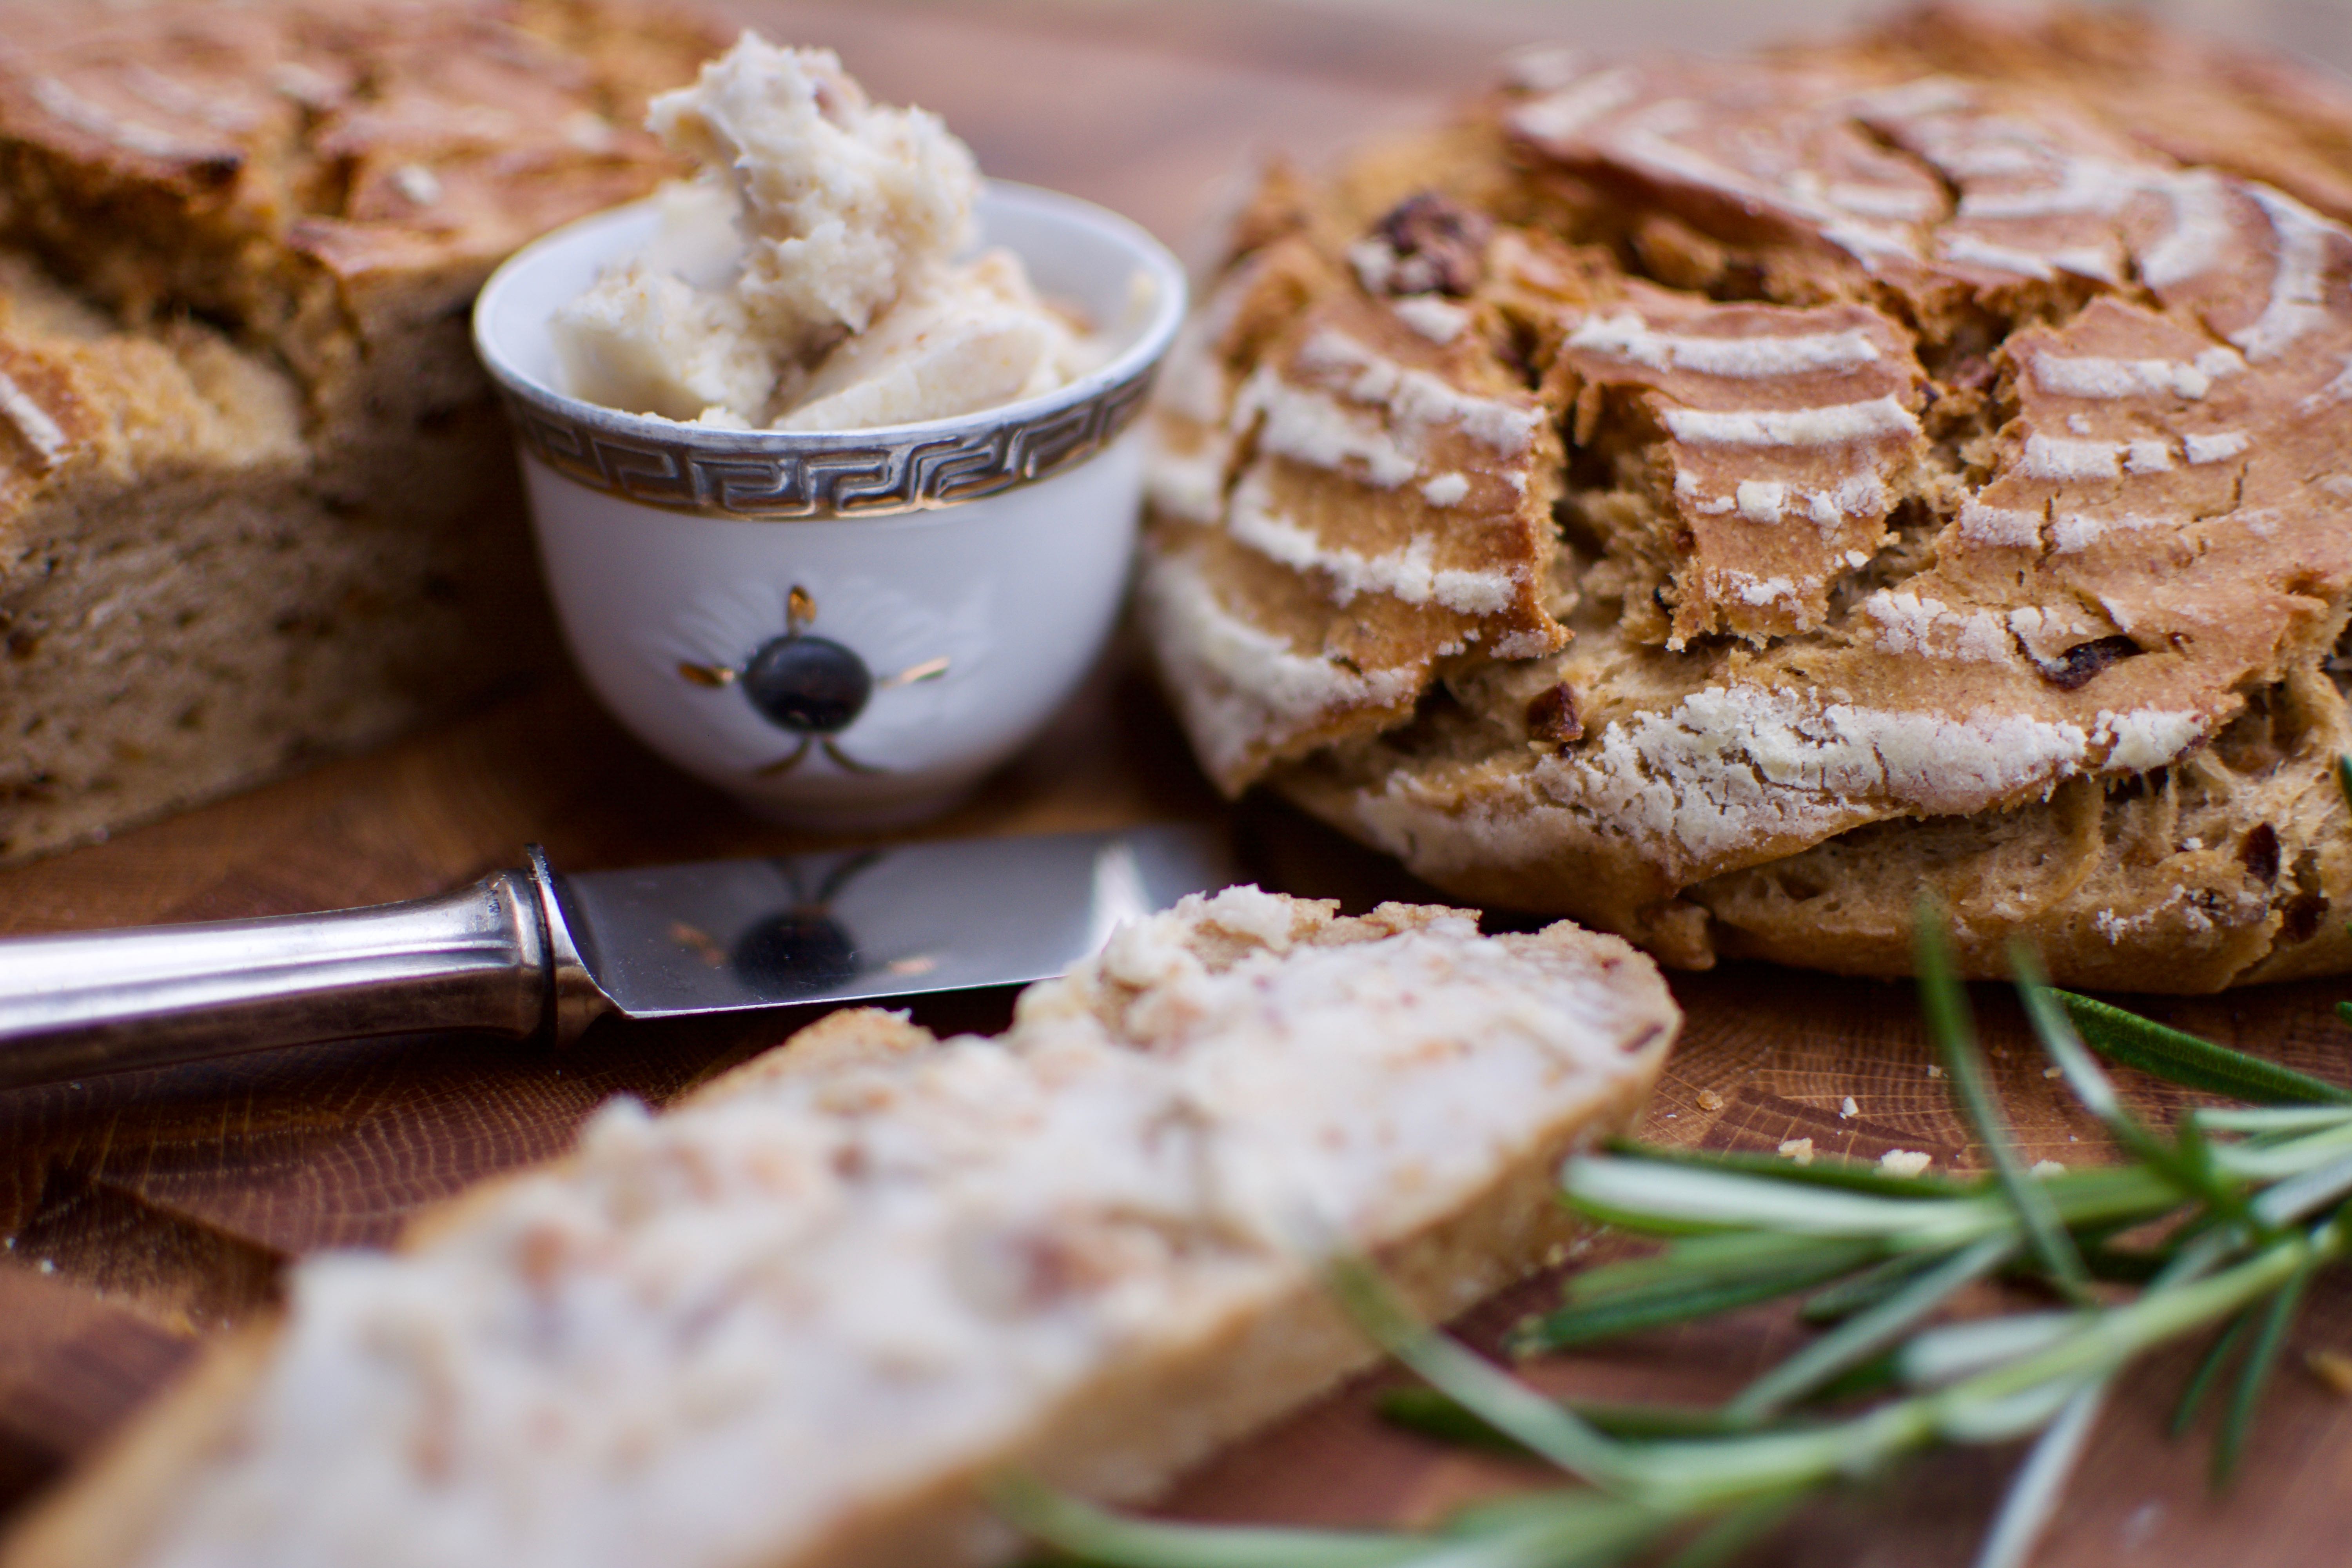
pixel 1946 502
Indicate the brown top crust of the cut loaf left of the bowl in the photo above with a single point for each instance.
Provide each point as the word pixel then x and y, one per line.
pixel 323 175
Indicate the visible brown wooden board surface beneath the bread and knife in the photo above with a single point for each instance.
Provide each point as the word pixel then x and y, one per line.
pixel 145 1214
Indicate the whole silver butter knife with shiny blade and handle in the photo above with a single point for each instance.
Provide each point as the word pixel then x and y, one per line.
pixel 540 953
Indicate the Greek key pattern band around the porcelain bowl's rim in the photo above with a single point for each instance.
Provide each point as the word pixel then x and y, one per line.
pixel 737 474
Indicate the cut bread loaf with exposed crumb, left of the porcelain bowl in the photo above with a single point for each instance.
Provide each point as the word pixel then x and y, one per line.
pixel 255 497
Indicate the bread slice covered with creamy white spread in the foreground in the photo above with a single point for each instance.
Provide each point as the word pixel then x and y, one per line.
pixel 808 1315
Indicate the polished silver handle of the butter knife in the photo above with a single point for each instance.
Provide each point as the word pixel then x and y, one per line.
pixel 493 956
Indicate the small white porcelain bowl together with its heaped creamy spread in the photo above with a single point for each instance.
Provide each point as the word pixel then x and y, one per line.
pixel 813 335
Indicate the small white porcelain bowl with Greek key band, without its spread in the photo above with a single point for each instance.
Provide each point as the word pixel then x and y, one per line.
pixel 723 591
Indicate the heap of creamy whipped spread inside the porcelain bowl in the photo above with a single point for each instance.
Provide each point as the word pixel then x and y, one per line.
pixel 815 274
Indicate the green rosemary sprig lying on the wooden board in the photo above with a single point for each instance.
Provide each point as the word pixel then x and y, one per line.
pixel 2245 1207
